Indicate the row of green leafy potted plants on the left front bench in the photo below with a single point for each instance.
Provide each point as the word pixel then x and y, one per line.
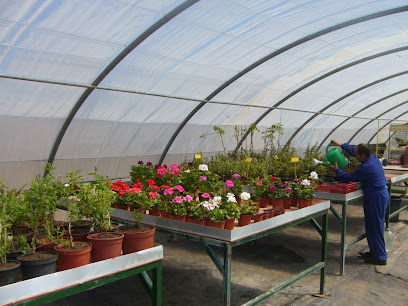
pixel 35 209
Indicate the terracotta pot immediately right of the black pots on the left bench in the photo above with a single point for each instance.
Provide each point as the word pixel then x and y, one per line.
pixel 69 258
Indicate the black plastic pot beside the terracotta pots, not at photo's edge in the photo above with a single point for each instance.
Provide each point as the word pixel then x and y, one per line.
pixel 35 268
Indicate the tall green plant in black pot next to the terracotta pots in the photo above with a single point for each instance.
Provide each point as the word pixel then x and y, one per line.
pixel 41 200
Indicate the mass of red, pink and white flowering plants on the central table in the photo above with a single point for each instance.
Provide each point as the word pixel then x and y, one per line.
pixel 193 192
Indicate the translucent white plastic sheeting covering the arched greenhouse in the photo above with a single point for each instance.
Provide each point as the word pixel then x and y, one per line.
pixel 111 82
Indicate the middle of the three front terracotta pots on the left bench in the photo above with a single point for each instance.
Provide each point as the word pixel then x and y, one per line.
pixel 104 248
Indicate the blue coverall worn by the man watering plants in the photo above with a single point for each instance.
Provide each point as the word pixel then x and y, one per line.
pixel 376 198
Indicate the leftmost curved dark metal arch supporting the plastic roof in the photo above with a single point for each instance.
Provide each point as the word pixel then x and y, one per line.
pixel 158 24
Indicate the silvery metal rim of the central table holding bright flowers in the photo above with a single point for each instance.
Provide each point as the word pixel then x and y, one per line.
pixel 237 233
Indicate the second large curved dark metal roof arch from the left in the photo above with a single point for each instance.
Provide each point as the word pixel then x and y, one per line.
pixel 270 56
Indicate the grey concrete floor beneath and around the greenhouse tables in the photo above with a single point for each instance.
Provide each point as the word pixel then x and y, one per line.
pixel 191 278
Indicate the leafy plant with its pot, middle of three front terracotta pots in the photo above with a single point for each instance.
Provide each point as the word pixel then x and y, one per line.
pixel 96 198
